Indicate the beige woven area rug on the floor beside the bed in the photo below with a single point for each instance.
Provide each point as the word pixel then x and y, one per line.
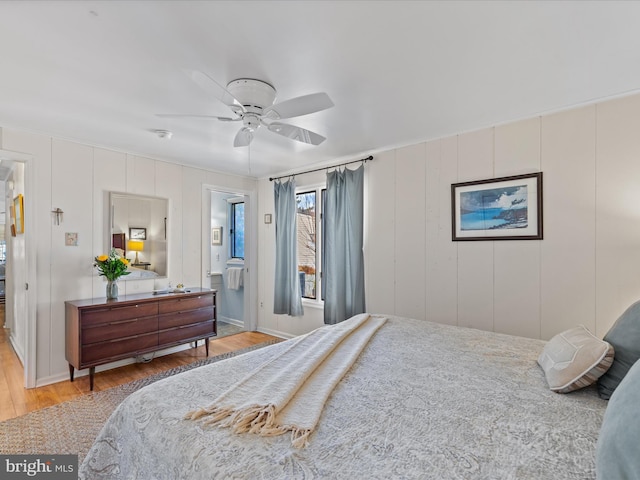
pixel 71 427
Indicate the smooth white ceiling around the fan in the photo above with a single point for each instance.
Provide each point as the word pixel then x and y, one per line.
pixel 398 72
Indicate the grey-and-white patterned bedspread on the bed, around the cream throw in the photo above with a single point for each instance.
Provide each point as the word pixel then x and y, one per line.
pixel 422 400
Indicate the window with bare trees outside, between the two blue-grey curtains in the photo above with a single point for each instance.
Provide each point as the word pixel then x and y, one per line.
pixel 309 242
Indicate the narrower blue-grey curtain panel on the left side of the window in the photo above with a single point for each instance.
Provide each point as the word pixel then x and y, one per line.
pixel 286 297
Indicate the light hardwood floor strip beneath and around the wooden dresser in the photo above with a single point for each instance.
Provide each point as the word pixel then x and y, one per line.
pixel 15 400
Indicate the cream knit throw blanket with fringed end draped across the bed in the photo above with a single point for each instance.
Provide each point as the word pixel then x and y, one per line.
pixel 288 392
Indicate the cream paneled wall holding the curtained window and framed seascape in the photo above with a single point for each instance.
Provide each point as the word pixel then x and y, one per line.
pixel 585 271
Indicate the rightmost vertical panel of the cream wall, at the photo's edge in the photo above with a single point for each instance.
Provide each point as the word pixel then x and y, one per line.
pixel 617 207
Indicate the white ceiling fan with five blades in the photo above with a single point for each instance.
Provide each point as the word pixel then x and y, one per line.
pixel 252 102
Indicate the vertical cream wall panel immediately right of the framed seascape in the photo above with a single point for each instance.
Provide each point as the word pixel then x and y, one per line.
pixel 568 251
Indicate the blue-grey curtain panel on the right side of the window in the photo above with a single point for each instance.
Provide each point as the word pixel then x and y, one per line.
pixel 344 268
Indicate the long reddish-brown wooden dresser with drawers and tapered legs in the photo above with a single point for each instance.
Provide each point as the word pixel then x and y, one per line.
pixel 98 331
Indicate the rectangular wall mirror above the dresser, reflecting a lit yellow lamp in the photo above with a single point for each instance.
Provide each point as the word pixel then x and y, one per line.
pixel 139 230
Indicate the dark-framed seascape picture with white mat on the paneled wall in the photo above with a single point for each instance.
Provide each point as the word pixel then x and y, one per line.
pixel 505 208
